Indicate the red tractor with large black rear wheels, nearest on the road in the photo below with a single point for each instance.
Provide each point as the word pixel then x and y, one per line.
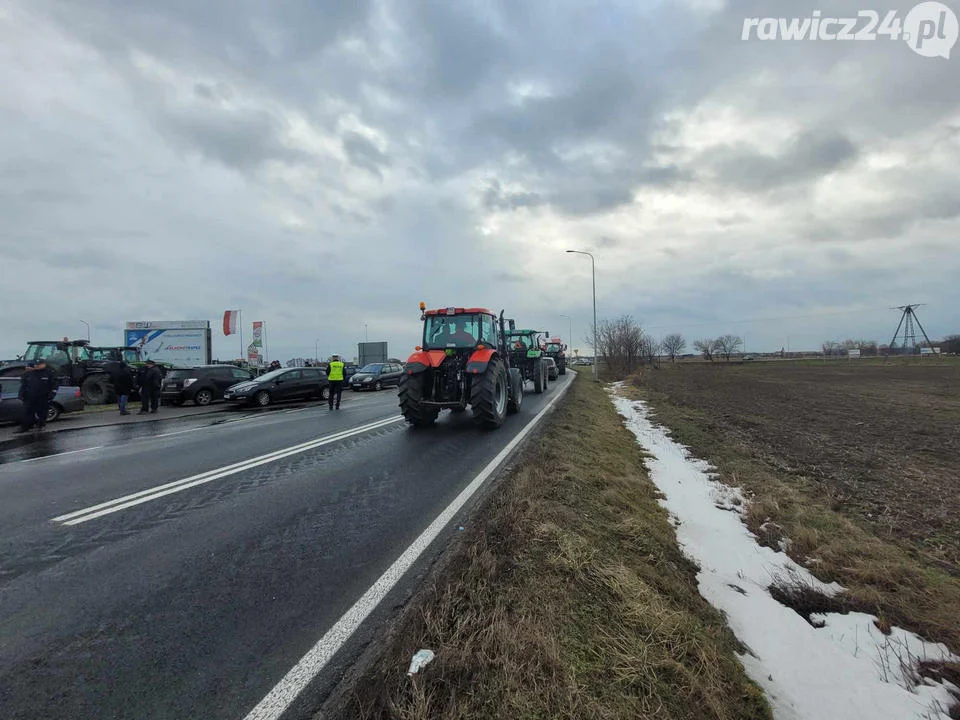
pixel 463 360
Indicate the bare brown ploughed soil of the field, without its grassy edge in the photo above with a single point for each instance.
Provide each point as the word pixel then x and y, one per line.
pixel 881 440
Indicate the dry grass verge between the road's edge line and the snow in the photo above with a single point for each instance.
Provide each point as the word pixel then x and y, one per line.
pixel 567 598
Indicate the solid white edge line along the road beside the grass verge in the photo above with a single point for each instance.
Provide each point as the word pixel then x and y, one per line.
pixel 286 691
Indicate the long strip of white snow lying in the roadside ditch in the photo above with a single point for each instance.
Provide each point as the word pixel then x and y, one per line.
pixel 848 669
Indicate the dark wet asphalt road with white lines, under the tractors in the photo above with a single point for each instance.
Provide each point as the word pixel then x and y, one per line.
pixel 182 569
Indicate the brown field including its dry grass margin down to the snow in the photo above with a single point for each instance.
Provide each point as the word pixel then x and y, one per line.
pixel 859 463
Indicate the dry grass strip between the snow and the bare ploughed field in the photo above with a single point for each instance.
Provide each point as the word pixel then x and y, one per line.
pixel 883 576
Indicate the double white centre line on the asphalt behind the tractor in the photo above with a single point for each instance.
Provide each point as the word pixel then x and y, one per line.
pixel 121 503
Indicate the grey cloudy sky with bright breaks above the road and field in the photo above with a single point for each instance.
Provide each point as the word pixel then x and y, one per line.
pixel 326 165
